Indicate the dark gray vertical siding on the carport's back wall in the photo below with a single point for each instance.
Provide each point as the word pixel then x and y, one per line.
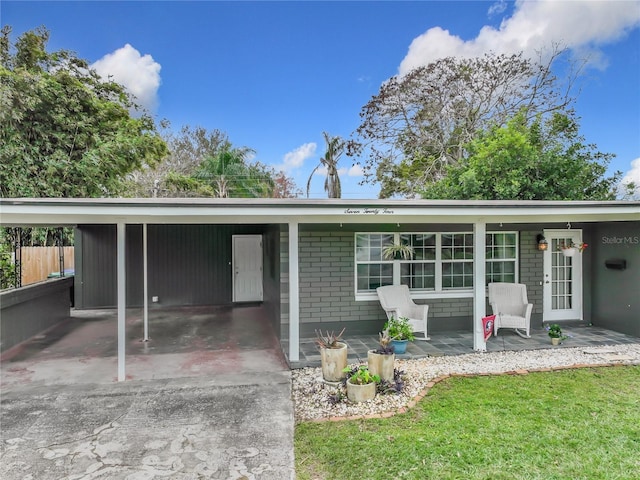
pixel 188 264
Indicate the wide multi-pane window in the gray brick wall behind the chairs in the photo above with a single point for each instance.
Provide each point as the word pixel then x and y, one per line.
pixel 441 262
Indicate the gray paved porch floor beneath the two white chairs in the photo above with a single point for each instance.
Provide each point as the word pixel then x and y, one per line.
pixel 461 342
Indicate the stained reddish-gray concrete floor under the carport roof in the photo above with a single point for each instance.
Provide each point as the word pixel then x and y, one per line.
pixel 183 342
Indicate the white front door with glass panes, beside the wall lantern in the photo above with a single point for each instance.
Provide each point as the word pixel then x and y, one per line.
pixel 562 287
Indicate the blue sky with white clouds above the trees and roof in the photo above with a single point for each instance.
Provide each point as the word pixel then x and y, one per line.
pixel 275 75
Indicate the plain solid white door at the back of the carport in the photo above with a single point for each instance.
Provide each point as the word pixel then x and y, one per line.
pixel 247 268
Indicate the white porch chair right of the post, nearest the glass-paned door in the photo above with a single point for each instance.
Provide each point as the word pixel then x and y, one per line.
pixel 511 307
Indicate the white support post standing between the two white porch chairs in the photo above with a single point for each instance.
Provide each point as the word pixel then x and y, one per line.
pixel 479 288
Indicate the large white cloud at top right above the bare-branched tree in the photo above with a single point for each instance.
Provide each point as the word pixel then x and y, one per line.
pixel 534 26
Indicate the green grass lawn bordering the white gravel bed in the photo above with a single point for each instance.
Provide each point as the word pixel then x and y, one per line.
pixel 567 424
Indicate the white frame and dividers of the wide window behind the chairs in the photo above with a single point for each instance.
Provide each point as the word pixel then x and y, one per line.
pixel 438 292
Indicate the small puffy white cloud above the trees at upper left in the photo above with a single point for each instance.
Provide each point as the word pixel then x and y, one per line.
pixel 140 74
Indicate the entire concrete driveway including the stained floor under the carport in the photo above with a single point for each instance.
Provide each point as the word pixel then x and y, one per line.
pixel 208 397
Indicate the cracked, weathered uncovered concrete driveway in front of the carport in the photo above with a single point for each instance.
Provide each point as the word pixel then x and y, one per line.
pixel 237 426
